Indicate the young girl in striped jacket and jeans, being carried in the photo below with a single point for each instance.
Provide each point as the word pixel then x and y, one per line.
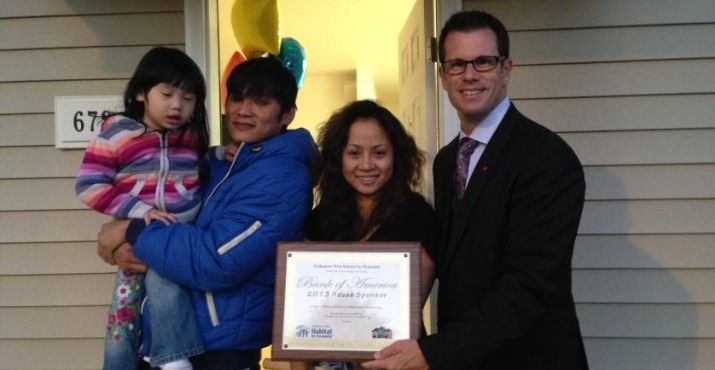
pixel 146 164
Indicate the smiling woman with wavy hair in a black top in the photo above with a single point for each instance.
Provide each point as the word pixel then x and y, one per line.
pixel 369 167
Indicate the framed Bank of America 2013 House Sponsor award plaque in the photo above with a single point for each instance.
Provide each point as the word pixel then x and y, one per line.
pixel 344 301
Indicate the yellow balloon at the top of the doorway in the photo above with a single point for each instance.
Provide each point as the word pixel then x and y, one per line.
pixel 255 25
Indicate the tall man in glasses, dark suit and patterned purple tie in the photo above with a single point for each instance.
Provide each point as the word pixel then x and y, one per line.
pixel 504 264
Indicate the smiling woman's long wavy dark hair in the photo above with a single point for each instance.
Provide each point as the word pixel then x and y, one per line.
pixel 337 199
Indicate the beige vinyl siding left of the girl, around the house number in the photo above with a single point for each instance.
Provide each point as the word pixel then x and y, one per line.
pixel 54 290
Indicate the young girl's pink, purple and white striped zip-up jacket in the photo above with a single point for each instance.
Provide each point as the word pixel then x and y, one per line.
pixel 128 170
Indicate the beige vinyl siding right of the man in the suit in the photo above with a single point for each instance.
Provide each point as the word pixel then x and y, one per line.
pixel 631 86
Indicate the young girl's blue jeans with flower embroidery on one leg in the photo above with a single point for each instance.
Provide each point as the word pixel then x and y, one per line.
pixel 173 327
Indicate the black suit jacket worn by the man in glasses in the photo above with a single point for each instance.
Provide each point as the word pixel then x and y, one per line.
pixel 504 264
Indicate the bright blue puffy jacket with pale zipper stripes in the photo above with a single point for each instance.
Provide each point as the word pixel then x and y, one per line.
pixel 226 259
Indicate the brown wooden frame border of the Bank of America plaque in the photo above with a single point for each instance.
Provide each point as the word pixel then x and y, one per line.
pixel 410 250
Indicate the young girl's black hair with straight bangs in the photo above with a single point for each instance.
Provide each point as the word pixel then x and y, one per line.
pixel 174 67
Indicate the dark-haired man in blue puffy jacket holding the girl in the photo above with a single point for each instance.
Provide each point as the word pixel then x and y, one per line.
pixel 226 258
